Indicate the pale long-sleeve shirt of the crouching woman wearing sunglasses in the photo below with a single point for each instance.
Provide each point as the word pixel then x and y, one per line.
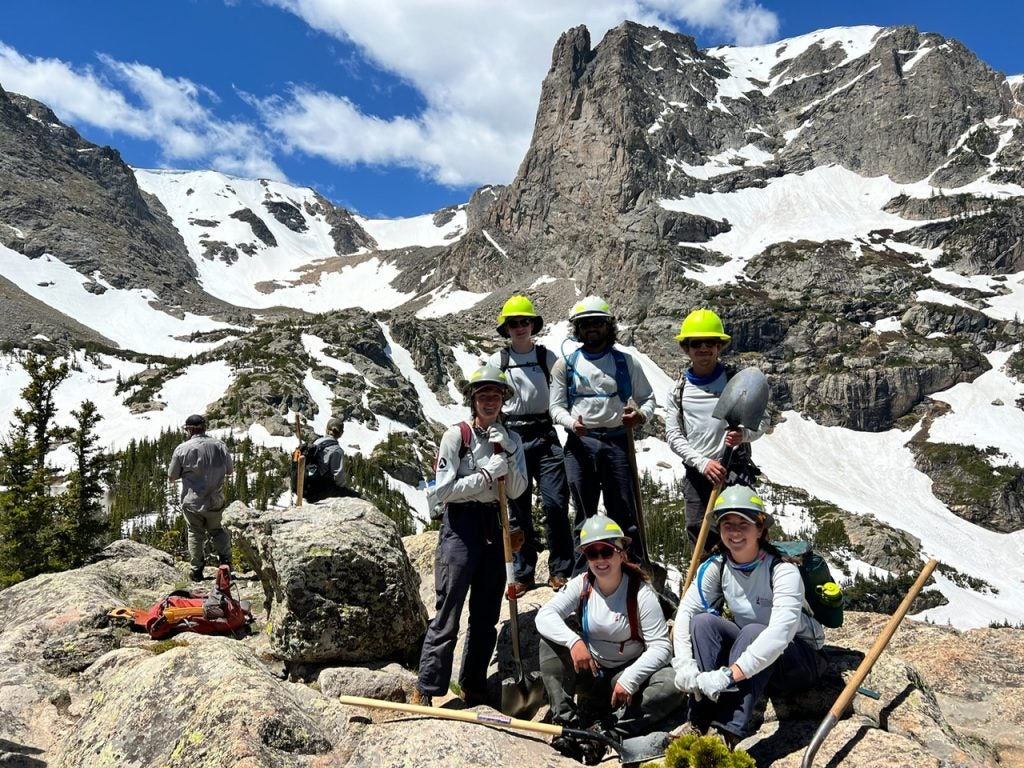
pixel 609 629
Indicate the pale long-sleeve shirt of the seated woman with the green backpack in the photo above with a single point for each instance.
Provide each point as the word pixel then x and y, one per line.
pixel 754 598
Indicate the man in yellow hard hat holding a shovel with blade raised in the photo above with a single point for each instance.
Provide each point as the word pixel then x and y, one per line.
pixel 693 433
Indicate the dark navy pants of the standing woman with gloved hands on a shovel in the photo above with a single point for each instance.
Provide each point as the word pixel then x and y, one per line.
pixel 470 561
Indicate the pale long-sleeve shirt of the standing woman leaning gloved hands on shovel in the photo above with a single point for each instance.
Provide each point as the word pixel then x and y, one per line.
pixel 461 480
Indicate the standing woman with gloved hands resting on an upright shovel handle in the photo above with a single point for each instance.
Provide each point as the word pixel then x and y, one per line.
pixel 471 556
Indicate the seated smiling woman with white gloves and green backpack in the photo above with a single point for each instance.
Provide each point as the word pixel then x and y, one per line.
pixel 771 638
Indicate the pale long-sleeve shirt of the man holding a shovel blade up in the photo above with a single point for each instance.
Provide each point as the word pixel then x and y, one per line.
pixel 694 434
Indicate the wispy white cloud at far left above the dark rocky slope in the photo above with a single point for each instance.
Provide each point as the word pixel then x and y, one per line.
pixel 141 102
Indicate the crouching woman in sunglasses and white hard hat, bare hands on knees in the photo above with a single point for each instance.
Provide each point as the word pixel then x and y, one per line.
pixel 619 663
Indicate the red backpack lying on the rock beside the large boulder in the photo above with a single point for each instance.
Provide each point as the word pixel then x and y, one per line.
pixel 217 614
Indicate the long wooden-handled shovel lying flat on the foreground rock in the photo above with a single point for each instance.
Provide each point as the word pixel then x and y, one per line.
pixel 636 750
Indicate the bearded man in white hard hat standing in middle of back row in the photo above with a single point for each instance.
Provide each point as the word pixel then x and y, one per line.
pixel 590 392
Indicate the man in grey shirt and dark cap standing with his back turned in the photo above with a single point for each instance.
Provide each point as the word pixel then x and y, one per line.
pixel 202 463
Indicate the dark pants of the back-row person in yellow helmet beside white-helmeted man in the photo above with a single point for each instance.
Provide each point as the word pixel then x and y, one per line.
pixel 545 466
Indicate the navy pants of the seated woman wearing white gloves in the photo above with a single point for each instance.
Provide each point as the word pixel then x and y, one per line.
pixel 719 643
